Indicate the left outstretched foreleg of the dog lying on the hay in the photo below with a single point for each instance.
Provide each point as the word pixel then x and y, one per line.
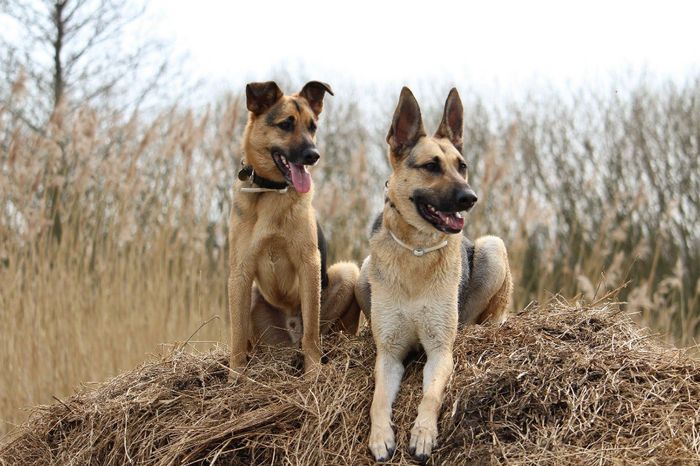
pixel 388 371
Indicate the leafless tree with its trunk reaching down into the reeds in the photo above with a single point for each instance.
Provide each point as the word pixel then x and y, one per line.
pixel 71 54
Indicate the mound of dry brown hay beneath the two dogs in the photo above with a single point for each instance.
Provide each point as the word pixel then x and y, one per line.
pixel 554 384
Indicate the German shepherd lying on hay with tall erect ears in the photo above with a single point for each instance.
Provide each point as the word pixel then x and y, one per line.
pixel 423 277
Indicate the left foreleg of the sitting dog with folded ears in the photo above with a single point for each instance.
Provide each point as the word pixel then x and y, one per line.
pixel 240 284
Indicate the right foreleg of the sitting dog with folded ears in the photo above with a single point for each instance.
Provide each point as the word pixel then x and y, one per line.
pixel 310 288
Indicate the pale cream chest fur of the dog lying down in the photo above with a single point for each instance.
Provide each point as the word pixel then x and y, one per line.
pixel 414 299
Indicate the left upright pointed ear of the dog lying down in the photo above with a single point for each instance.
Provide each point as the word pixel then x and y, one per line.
pixel 407 124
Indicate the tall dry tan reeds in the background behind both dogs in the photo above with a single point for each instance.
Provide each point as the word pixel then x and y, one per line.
pixel 113 229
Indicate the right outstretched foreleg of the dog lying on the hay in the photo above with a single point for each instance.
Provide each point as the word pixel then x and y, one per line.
pixel 436 373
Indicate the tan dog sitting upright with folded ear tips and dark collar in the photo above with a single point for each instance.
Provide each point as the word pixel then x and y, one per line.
pixel 279 289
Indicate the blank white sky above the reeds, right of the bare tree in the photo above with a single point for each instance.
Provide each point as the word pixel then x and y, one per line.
pixel 508 44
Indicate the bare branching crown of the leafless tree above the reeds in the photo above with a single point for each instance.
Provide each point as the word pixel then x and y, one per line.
pixel 77 52
